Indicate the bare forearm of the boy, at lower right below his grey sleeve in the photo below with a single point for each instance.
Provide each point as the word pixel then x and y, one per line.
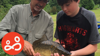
pixel 91 48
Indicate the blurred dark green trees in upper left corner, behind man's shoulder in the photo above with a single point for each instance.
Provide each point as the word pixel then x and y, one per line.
pixel 5 5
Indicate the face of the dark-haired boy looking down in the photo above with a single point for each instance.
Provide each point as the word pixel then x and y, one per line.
pixel 71 8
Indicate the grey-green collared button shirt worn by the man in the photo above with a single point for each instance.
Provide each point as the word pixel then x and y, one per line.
pixel 19 19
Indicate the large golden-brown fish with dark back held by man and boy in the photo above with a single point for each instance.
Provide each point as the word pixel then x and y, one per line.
pixel 47 47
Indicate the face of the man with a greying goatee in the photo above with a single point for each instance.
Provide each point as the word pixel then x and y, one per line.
pixel 38 5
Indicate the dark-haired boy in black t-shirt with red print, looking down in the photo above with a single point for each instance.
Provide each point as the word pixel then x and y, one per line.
pixel 76 29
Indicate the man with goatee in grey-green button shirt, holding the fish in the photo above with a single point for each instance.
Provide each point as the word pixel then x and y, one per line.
pixel 30 21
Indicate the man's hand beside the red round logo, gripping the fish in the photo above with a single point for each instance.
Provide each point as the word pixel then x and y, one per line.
pixel 28 49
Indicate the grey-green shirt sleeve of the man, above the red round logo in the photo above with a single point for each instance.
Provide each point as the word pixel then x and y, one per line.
pixel 8 23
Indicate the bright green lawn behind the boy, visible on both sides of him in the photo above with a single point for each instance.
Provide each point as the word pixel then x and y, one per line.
pixel 97 14
